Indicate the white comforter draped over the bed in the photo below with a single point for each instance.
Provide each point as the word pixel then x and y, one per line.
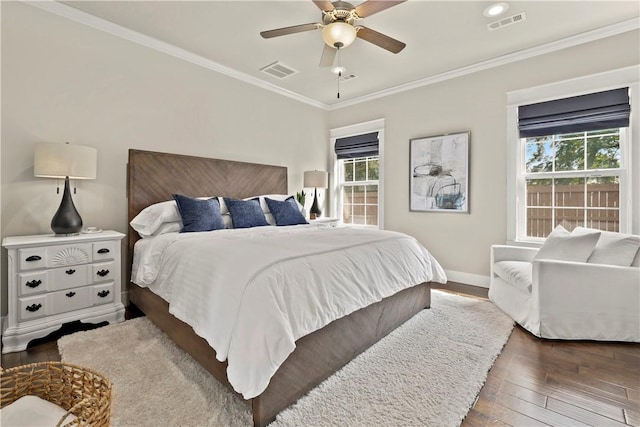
pixel 252 293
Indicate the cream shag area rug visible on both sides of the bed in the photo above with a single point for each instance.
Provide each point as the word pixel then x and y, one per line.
pixel 427 372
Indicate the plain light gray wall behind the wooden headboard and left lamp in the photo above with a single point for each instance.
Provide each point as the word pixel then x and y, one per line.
pixel 63 81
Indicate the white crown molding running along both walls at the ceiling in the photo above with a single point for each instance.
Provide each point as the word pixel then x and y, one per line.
pixel 79 16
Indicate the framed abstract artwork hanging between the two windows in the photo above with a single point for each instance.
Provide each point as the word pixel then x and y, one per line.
pixel 439 173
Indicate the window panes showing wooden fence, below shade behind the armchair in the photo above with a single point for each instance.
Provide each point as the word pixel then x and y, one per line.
pixel 572 180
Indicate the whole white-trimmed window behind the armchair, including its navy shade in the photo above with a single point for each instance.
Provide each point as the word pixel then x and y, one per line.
pixel 570 157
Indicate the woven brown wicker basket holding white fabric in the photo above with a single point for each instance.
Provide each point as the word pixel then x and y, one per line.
pixel 80 391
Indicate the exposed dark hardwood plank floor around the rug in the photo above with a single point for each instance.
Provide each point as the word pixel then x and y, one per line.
pixel 533 382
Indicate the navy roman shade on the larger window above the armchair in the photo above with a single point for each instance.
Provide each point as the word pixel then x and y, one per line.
pixel 595 111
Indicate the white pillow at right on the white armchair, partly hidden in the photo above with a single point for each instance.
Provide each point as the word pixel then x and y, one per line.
pixel 612 248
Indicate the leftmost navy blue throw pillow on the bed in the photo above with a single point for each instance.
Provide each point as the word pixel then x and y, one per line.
pixel 199 214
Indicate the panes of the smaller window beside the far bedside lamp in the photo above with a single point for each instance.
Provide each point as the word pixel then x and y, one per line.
pixel 358 181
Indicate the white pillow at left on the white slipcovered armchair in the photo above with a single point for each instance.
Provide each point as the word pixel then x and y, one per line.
pixel 563 246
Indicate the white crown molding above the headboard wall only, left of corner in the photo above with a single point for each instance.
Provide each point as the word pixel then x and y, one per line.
pixel 109 27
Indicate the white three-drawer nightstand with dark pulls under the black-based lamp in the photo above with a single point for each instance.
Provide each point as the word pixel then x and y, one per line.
pixel 56 280
